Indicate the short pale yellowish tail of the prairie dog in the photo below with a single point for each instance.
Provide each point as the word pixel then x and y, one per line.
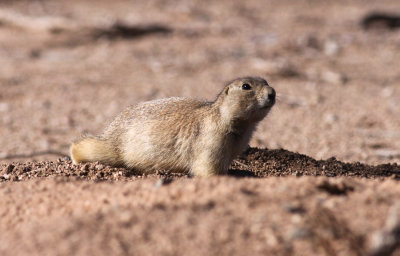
pixel 93 149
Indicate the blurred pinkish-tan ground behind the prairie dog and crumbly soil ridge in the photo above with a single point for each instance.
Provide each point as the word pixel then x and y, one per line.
pixel 68 67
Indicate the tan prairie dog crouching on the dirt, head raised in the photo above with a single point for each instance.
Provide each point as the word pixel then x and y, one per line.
pixel 182 134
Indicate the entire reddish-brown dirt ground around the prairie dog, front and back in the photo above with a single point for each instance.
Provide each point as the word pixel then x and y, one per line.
pixel 321 178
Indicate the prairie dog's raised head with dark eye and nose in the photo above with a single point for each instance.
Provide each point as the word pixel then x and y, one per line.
pixel 247 98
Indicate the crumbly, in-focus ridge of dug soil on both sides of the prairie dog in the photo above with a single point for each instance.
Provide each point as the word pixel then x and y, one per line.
pixel 253 163
